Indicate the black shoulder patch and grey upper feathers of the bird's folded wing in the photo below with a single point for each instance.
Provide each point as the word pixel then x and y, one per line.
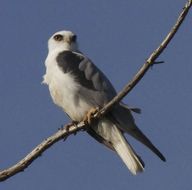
pixel 85 72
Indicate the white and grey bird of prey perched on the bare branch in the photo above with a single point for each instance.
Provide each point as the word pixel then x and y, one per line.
pixel 80 88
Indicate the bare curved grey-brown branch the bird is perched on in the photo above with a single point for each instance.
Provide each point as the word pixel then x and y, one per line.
pixel 63 132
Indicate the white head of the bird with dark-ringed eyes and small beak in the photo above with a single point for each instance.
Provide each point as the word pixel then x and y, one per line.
pixel 63 40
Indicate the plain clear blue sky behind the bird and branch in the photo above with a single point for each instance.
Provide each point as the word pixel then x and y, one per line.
pixel 118 36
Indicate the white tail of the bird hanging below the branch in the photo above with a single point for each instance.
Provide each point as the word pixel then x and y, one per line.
pixel 111 133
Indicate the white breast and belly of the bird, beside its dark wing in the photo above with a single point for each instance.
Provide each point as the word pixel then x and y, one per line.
pixel 64 92
